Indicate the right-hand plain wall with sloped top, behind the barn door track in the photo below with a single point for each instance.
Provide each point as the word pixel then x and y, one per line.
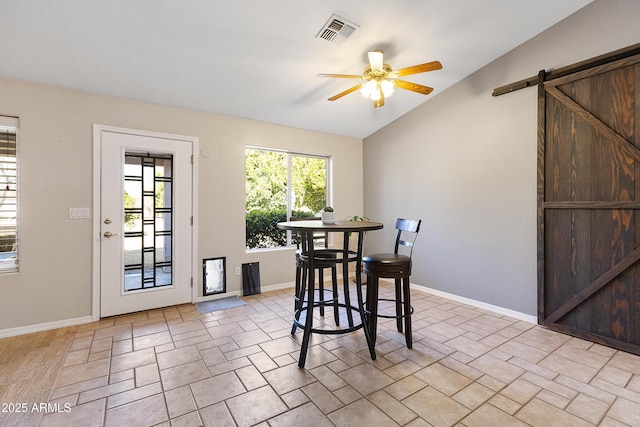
pixel 465 162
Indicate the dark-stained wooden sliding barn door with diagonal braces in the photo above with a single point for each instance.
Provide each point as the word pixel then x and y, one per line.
pixel 589 204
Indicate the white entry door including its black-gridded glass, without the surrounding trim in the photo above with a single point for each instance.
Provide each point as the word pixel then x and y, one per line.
pixel 145 222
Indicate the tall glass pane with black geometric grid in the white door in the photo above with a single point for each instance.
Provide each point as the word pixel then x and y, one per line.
pixel 147 221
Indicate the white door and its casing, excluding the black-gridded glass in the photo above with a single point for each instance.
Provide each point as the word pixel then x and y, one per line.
pixel 110 146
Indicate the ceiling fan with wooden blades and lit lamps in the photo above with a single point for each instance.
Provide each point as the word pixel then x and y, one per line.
pixel 379 79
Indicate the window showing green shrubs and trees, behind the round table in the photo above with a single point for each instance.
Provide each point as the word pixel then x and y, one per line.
pixel 280 185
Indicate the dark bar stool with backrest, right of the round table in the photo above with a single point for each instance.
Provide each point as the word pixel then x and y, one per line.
pixel 392 266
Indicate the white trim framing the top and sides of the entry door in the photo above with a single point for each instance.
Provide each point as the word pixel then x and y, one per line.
pixel 97 159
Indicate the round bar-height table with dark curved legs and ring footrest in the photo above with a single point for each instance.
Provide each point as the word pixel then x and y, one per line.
pixel 343 256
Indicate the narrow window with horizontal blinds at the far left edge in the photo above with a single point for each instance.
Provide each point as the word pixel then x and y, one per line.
pixel 8 194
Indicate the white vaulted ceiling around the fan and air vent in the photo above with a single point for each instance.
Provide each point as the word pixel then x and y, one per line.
pixel 259 59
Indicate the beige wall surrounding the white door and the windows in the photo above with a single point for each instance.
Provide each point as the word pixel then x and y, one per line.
pixel 54 282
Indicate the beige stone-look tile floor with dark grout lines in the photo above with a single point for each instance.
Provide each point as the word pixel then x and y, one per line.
pixel 177 367
